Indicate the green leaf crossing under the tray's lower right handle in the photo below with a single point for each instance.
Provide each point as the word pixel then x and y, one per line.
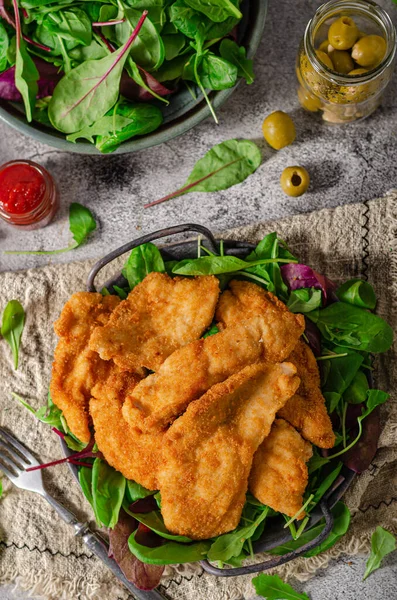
pixel 342 517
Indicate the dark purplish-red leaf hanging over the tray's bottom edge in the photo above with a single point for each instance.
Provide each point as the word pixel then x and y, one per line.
pixel 144 576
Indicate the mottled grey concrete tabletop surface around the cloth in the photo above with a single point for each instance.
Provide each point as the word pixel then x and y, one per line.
pixel 347 164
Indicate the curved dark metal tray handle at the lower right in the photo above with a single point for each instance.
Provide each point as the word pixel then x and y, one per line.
pixel 278 560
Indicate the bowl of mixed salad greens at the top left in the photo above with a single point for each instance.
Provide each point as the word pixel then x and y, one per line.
pixel 122 75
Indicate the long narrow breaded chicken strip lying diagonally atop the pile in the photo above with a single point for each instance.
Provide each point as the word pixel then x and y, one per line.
pixel 192 370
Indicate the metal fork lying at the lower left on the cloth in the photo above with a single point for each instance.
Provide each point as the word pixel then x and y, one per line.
pixel 14 459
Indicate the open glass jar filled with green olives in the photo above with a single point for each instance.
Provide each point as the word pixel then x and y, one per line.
pixel 345 60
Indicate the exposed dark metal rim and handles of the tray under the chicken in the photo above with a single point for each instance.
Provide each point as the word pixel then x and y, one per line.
pixel 274 534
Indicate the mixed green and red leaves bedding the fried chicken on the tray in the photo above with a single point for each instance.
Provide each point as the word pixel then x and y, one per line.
pixel 344 334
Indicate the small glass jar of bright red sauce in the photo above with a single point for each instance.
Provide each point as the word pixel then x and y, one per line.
pixel 28 195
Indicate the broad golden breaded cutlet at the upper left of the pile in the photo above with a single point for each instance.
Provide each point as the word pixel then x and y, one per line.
pixel 159 316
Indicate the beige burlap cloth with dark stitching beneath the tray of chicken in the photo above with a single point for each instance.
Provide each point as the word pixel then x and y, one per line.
pixel 40 552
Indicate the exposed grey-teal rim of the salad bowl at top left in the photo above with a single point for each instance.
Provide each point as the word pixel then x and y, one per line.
pixel 182 113
